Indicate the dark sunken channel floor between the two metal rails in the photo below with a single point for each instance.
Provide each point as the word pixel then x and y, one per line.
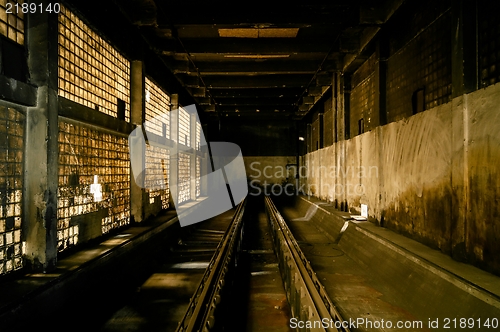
pixel 259 298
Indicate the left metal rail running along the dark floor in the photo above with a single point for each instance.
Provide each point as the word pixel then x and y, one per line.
pixel 200 315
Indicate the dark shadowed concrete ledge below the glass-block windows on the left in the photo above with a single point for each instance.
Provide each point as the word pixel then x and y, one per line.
pixel 61 298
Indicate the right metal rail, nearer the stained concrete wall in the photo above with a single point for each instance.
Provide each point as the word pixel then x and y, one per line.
pixel 306 295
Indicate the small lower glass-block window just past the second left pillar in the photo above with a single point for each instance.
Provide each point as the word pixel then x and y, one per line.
pixel 157 172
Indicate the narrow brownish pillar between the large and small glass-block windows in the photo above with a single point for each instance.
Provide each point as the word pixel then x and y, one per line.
pixel 137 117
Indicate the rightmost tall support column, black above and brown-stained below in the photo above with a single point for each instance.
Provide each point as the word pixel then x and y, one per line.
pixel 464 78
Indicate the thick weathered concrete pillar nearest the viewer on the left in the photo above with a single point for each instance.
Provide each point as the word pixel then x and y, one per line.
pixel 41 154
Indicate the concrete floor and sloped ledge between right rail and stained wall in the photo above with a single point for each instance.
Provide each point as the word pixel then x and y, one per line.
pixel 374 274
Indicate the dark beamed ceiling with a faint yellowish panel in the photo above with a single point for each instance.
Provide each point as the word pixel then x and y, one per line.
pixel 251 59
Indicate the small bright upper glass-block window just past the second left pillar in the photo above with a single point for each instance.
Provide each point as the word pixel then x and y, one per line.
pixel 157 110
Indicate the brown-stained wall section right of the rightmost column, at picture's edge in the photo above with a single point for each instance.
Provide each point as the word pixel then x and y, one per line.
pixel 483 160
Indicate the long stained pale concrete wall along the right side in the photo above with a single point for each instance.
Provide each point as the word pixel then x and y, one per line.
pixel 432 176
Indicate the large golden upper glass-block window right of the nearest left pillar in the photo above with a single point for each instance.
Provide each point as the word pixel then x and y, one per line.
pixel 91 71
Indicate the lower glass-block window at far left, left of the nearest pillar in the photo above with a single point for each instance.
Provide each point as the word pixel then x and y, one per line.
pixel 11 186
